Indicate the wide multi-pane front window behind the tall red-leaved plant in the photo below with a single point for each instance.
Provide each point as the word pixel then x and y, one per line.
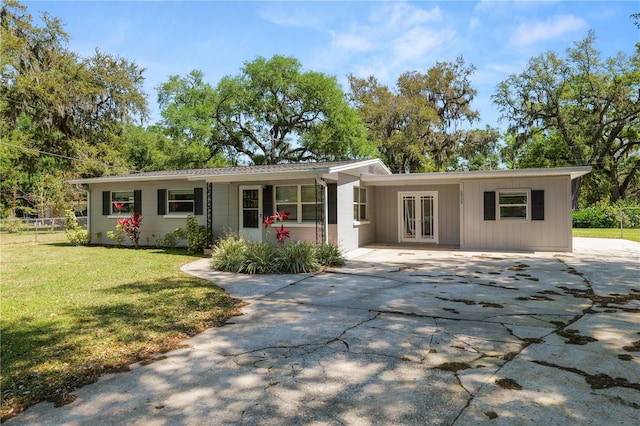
pixel 301 201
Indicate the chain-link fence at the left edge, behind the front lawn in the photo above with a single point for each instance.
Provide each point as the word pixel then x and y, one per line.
pixel 24 230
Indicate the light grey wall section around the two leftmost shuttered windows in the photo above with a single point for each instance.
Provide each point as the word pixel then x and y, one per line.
pixel 153 226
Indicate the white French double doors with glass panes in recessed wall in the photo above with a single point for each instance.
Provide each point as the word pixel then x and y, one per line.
pixel 418 213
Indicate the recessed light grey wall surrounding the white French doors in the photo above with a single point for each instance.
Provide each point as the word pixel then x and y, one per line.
pixel 386 214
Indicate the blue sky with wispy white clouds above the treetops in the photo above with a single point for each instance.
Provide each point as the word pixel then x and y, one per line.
pixel 380 38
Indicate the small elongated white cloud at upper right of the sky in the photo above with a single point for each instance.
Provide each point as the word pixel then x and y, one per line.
pixel 529 33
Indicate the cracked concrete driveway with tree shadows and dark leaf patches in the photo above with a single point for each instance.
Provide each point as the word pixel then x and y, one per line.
pixel 401 335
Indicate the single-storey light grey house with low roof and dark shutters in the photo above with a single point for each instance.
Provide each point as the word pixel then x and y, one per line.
pixel 349 203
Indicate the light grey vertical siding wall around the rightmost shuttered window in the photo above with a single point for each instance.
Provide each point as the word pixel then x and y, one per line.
pixel 551 234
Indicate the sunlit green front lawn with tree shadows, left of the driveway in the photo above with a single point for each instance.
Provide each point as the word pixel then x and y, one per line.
pixel 71 314
